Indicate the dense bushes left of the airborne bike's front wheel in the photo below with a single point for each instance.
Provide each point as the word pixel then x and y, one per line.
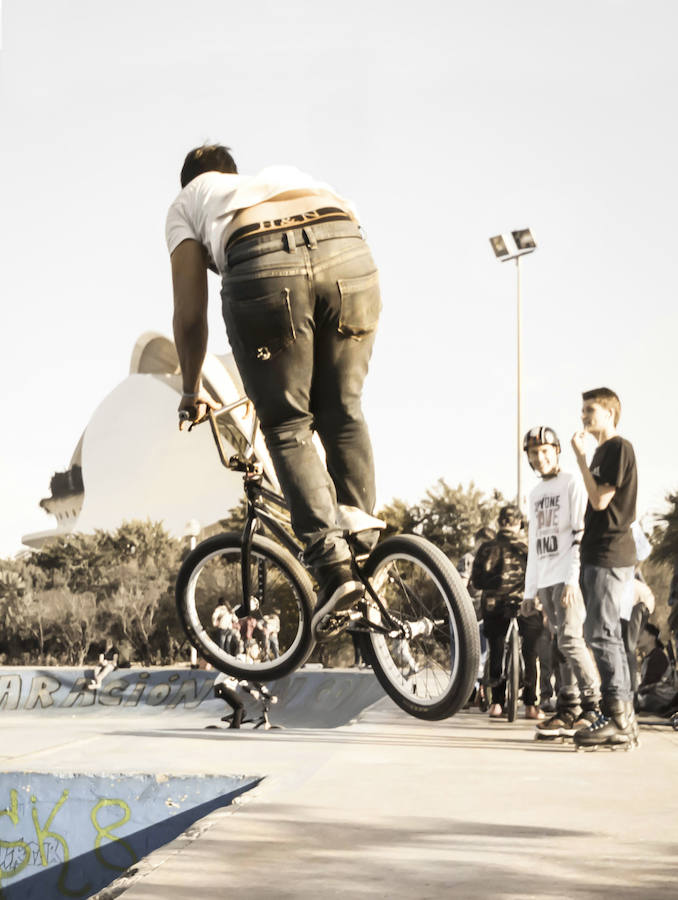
pixel 78 591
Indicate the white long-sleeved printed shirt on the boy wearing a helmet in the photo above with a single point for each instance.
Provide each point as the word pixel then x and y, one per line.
pixel 556 515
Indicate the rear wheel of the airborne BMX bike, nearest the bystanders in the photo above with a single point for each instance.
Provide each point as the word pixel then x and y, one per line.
pixel 449 654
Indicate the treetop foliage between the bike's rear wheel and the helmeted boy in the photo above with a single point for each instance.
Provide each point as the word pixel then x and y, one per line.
pixel 447 516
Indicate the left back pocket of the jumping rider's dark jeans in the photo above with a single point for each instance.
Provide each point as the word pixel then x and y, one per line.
pixel 263 325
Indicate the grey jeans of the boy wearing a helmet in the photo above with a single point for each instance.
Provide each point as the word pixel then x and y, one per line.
pixel 579 682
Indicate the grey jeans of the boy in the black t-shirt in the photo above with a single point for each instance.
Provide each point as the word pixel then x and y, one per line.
pixel 603 589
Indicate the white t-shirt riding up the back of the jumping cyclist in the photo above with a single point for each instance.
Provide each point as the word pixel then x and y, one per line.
pixel 204 208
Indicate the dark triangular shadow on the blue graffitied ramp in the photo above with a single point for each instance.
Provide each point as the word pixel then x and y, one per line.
pixel 86 874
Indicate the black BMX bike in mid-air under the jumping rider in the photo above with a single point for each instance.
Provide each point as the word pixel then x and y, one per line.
pixel 416 624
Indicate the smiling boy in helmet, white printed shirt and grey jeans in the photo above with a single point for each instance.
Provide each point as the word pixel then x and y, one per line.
pixel 556 515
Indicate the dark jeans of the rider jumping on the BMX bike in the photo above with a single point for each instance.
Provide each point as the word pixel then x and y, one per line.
pixel 301 309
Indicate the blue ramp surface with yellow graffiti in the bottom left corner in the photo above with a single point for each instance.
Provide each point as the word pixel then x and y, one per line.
pixel 70 836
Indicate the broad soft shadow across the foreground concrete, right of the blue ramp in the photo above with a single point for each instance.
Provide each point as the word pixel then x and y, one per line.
pixel 421 858
